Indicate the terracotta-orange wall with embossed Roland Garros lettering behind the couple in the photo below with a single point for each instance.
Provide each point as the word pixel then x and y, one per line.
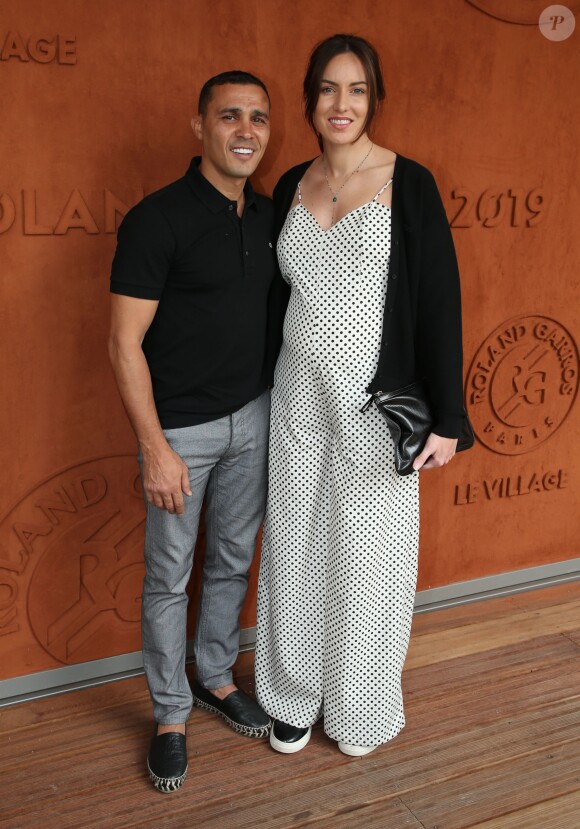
pixel 96 100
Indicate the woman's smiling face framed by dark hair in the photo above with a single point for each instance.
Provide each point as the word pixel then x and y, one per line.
pixel 343 100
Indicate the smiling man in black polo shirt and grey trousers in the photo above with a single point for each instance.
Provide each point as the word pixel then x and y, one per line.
pixel 188 344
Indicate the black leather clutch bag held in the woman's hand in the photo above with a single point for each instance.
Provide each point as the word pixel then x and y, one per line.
pixel 408 415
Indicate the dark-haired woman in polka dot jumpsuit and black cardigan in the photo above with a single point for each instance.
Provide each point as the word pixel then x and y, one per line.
pixel 366 249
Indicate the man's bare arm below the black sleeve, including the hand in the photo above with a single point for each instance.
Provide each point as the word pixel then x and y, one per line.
pixel 165 476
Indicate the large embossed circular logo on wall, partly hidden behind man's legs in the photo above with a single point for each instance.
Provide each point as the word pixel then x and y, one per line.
pixel 72 556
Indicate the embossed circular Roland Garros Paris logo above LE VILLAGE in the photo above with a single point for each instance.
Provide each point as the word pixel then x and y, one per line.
pixel 522 384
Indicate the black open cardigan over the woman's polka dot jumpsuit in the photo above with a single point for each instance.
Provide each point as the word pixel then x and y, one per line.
pixel 422 320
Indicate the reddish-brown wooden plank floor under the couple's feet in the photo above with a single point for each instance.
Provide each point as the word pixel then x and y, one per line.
pixel 492 742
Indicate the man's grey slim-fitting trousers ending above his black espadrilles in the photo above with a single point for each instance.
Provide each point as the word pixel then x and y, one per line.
pixel 227 462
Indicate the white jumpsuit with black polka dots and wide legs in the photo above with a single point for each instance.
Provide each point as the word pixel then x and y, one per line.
pixel 339 552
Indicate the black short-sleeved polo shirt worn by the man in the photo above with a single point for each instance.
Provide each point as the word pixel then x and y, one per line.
pixel 211 271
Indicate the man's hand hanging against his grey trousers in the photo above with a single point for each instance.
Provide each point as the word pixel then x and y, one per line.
pixel 165 480
